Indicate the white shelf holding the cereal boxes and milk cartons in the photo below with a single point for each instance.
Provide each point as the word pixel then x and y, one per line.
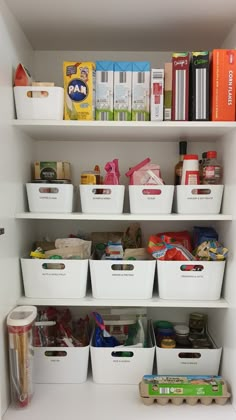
pixel 123 131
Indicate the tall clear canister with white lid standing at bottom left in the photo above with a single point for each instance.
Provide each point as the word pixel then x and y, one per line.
pixel 19 323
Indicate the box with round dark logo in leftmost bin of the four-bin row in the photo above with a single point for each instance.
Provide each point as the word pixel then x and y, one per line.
pixel 51 171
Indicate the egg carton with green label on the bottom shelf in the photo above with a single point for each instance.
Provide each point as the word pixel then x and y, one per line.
pixel 177 389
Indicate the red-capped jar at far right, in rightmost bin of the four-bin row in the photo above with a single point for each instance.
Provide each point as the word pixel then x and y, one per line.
pixel 212 170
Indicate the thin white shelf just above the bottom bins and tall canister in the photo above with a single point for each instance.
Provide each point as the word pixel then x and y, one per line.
pixel 155 302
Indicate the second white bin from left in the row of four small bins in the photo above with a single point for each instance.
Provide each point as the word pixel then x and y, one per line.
pixel 102 199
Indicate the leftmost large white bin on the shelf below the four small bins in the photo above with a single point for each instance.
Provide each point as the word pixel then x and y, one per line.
pixel 46 278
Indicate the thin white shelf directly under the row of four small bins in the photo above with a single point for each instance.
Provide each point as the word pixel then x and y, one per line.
pixel 125 216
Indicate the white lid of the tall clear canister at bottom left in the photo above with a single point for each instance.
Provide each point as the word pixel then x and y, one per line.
pixel 22 316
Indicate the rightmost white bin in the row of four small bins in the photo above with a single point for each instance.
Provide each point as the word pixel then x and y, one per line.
pixel 199 199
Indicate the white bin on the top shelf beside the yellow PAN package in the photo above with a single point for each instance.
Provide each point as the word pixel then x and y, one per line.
pixel 31 105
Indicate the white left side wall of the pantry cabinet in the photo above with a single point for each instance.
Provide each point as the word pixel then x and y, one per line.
pixel 15 156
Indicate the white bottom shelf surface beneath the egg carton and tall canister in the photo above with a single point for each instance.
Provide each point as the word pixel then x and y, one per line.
pixel 89 400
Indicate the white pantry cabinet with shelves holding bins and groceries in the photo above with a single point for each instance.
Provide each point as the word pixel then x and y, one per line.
pixel 30 35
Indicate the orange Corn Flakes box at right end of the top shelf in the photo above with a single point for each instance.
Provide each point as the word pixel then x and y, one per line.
pixel 223 85
